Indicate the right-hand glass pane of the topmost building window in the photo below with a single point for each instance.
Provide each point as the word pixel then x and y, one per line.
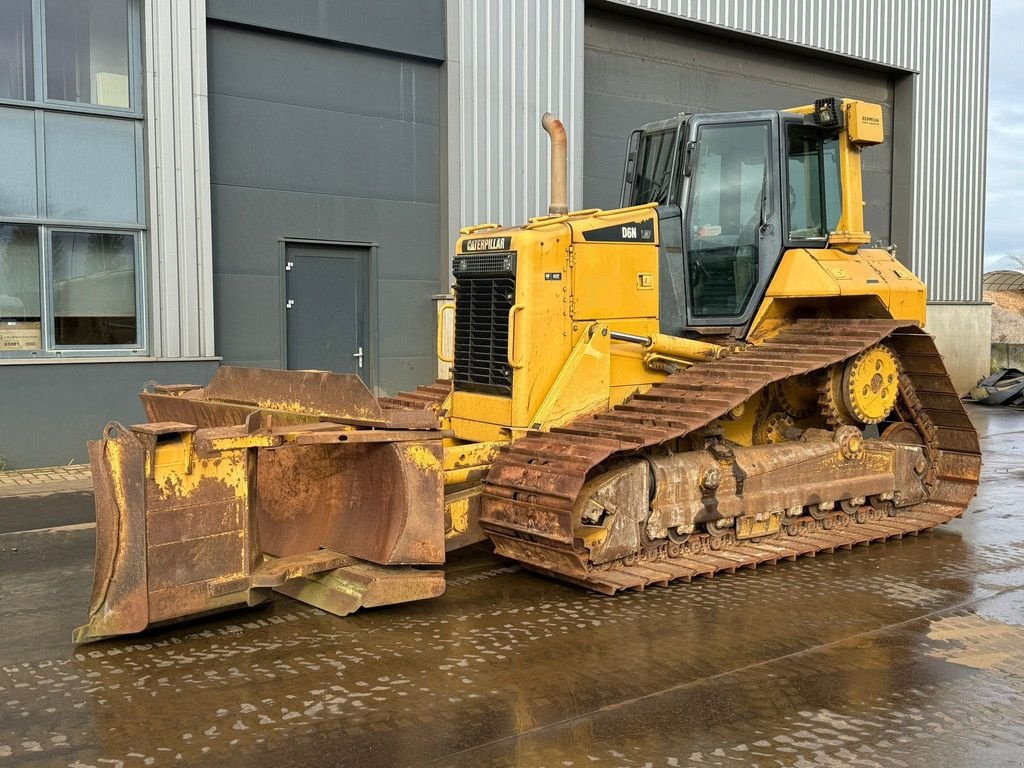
pixel 88 53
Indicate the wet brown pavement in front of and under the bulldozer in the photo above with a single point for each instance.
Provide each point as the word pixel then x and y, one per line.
pixel 907 654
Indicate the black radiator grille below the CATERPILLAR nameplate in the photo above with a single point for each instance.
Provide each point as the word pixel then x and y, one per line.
pixel 485 292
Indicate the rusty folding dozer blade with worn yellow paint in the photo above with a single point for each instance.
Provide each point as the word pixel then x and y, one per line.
pixel 306 487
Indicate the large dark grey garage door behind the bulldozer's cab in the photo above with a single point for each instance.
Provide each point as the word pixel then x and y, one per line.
pixel 637 71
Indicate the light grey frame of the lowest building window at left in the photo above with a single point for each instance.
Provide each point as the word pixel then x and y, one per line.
pixel 52 351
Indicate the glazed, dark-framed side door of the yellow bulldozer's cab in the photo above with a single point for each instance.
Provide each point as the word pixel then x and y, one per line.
pixel 732 216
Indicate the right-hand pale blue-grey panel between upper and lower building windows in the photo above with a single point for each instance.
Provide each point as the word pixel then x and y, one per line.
pixel 92 168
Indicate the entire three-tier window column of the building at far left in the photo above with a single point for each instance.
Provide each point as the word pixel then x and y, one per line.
pixel 72 186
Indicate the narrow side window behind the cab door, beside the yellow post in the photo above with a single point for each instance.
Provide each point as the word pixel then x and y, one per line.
pixel 816 195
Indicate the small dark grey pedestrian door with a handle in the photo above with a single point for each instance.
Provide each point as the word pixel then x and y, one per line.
pixel 326 309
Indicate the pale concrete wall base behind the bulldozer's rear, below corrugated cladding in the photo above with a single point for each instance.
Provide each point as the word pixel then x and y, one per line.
pixel 963 333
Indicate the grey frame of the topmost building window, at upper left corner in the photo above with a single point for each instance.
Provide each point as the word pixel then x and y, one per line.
pixel 40 98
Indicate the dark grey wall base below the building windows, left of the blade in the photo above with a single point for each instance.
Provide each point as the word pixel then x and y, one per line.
pixel 51 410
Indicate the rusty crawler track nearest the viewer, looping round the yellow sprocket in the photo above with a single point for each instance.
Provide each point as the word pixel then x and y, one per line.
pixel 532 490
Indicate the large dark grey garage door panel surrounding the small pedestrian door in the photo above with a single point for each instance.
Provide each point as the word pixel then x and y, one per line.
pixel 289 160
